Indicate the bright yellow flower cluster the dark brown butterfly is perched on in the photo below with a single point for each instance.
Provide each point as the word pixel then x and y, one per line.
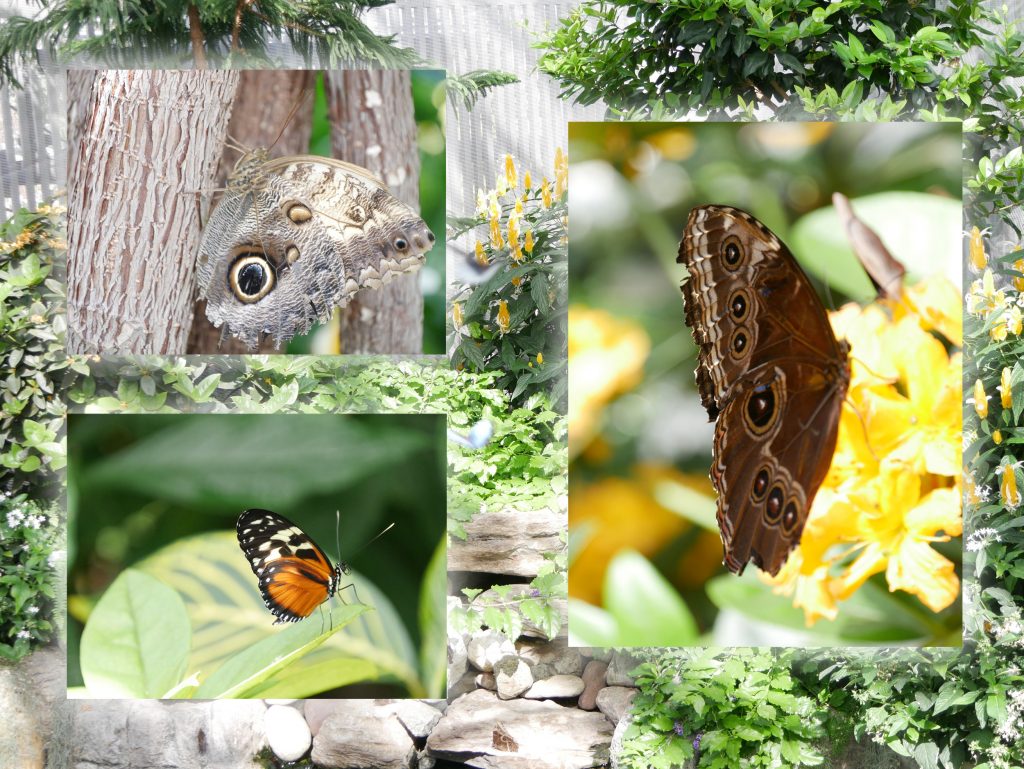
pixel 893 486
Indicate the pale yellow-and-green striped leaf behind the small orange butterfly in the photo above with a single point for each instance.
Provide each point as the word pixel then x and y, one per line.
pixel 229 617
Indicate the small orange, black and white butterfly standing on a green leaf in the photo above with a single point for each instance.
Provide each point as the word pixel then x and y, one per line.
pixel 295 576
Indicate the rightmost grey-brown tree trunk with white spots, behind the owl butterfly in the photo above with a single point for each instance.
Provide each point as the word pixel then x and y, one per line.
pixel 374 126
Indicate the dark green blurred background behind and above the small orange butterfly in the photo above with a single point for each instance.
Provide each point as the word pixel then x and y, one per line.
pixel 138 484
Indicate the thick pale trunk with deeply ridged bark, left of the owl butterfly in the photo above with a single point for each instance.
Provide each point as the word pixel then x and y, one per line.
pixel 151 142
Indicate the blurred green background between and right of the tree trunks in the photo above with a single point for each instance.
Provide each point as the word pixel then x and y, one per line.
pixel 429 103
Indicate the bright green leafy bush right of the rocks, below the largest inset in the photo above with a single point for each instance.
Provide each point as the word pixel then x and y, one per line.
pixel 742 709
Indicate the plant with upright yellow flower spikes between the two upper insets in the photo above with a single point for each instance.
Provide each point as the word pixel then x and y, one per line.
pixel 514 321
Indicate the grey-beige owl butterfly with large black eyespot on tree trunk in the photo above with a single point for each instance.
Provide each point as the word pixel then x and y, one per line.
pixel 294 238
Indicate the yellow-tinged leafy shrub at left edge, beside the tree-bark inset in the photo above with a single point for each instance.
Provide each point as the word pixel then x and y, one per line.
pixel 32 339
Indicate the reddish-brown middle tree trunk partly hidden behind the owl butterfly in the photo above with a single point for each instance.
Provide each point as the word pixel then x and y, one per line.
pixel 262 113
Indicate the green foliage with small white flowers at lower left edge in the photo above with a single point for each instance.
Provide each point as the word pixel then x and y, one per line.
pixel 29 536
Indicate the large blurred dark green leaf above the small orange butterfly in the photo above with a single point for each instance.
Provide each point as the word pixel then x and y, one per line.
pixel 240 459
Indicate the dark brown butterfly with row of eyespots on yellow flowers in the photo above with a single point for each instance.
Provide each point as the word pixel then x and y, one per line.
pixel 771 374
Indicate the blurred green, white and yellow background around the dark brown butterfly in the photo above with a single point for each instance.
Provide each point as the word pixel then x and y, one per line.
pixel 641 442
